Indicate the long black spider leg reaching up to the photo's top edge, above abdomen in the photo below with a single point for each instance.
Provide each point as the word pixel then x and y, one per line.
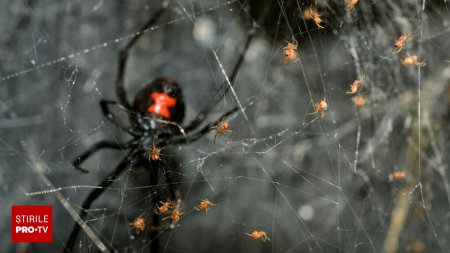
pixel 123 57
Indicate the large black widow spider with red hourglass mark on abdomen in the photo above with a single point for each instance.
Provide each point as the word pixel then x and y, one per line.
pixel 156 115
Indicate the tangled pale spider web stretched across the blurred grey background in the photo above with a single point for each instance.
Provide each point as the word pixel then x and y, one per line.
pixel 313 184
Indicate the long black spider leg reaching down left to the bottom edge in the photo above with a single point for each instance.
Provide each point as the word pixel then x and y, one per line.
pixel 124 164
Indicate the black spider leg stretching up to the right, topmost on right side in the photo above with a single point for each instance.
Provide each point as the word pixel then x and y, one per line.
pixel 220 93
